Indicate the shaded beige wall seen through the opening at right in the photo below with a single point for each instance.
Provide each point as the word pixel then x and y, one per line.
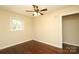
pixel 71 29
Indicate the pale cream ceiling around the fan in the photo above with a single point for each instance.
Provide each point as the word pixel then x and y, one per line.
pixel 21 8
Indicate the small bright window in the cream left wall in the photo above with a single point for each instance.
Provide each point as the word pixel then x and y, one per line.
pixel 16 25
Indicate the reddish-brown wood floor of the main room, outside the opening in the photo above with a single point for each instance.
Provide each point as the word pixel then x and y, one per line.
pixel 31 47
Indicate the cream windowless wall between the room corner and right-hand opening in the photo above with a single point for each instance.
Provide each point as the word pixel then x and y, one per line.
pixel 48 28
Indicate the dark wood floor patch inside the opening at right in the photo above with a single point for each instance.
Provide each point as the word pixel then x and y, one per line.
pixel 70 49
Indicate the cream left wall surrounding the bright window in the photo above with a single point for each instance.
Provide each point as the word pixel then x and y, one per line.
pixel 9 38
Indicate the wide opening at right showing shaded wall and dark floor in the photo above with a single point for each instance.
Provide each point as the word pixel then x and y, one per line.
pixel 70 33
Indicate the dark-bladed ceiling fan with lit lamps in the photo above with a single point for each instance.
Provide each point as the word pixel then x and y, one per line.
pixel 37 11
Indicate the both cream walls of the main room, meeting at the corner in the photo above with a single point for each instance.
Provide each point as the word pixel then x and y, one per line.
pixel 46 28
